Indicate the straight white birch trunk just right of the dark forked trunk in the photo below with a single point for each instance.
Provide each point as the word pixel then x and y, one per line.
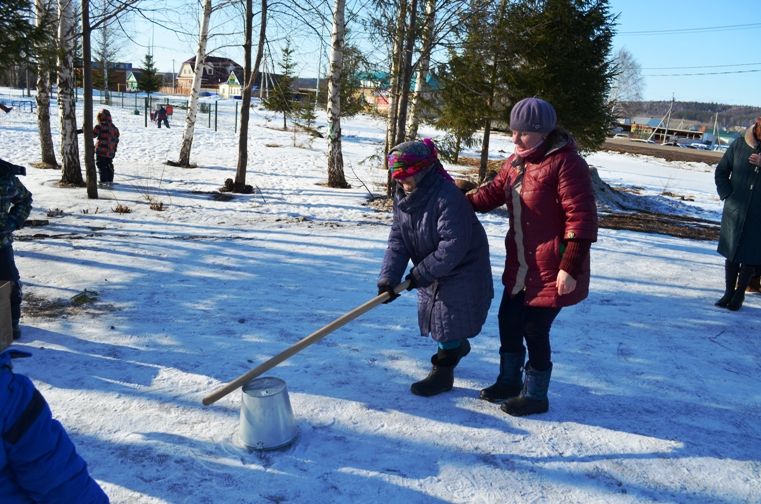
pixel 335 153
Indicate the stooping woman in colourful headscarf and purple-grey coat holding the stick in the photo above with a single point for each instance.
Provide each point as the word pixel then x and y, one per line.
pixel 436 228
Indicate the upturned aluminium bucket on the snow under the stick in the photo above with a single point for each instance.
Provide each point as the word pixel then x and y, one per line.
pixel 266 417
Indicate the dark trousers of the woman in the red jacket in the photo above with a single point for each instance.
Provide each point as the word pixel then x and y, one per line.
pixel 518 322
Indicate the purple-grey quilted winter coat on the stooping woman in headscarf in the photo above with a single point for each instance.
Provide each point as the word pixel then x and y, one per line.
pixel 436 227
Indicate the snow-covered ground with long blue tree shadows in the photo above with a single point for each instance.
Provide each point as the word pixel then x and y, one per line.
pixel 655 394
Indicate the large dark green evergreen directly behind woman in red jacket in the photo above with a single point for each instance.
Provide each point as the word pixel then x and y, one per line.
pixel 562 54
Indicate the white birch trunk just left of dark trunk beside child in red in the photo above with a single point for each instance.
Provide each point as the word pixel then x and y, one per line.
pixel 71 171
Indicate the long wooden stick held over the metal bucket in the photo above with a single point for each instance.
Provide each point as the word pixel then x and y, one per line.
pixel 301 344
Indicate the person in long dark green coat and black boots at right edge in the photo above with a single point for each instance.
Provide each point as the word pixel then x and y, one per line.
pixel 737 178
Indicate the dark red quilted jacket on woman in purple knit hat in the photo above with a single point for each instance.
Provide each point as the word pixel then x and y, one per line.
pixel 550 199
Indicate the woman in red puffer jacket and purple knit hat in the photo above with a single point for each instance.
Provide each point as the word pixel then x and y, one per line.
pixel 547 188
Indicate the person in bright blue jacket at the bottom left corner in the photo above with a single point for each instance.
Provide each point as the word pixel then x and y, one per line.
pixel 38 461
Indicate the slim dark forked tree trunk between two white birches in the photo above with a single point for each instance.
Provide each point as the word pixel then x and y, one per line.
pixel 249 77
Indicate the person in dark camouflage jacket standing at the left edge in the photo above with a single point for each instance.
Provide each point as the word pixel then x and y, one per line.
pixel 15 206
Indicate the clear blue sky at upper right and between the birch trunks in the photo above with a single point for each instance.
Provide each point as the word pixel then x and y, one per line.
pixel 700 50
